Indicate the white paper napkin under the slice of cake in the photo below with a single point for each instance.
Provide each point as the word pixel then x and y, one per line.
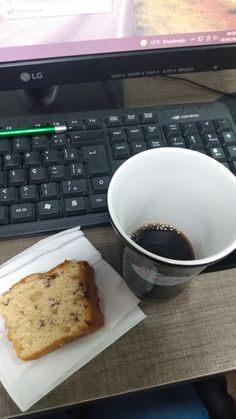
pixel 28 381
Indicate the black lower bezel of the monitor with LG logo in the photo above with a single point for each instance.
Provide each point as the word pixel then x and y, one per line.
pixel 113 66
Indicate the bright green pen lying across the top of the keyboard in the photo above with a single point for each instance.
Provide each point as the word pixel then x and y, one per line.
pixel 32 131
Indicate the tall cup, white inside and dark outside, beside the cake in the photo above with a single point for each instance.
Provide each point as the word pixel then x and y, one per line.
pixel 178 187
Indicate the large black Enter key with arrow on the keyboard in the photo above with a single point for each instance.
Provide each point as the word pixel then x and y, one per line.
pixel 96 158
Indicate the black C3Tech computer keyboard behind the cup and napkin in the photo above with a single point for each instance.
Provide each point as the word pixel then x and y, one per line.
pixel 51 183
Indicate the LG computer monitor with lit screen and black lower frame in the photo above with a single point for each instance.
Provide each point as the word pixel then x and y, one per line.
pixel 52 42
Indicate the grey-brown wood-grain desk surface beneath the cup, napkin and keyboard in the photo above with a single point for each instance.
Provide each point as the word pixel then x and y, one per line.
pixel 190 336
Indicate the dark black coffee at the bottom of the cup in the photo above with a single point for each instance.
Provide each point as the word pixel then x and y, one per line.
pixel 163 240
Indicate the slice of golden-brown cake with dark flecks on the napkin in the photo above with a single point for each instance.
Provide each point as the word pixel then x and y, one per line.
pixel 44 311
